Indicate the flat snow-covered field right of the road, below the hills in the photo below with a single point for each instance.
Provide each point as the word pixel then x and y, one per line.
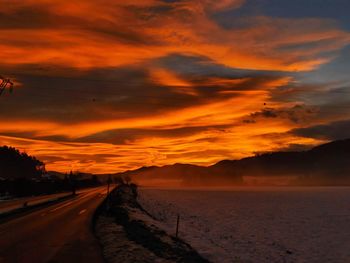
pixel 258 225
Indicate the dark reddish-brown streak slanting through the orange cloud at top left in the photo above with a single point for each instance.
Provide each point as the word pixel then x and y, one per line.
pixel 42 17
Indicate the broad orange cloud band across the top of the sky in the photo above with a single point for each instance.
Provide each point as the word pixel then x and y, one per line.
pixel 91 34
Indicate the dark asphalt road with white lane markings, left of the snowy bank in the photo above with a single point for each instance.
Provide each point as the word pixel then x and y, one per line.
pixel 58 233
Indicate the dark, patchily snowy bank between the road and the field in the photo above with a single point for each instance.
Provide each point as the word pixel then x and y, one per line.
pixel 129 234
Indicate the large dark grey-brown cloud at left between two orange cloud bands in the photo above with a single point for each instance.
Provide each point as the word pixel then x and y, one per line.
pixel 93 95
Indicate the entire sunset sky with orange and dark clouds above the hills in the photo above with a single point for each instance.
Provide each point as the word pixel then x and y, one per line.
pixel 104 86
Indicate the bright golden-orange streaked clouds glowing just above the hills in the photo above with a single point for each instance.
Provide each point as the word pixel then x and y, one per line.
pixel 205 146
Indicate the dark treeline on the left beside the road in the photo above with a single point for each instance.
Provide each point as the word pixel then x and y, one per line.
pixel 24 175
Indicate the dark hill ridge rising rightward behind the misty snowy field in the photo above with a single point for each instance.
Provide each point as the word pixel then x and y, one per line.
pixel 327 164
